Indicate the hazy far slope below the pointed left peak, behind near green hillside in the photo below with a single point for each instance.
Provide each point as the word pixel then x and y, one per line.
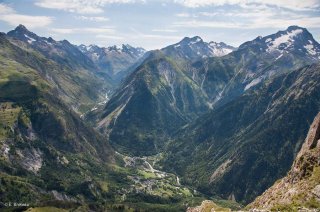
pixel 73 81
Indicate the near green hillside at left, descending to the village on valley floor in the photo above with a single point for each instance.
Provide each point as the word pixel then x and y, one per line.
pixel 49 157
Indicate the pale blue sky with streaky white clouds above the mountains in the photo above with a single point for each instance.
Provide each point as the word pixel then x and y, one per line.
pixel 154 24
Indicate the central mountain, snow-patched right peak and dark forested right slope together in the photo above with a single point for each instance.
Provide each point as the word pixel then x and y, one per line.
pixel 239 94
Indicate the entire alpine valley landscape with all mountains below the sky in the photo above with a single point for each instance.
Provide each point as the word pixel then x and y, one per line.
pixel 194 126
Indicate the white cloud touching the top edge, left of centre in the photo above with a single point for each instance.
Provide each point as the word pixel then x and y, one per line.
pixel 81 6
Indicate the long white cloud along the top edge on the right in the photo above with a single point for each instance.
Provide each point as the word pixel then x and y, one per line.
pixel 291 4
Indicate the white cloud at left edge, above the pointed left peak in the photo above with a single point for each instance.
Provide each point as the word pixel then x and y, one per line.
pixel 10 16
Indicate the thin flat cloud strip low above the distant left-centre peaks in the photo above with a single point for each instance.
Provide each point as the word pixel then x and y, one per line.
pixel 91 30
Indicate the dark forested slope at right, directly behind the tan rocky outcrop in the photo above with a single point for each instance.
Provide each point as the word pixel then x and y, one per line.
pixel 238 150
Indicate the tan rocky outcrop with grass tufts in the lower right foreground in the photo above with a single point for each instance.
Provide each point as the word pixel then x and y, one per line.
pixel 301 187
